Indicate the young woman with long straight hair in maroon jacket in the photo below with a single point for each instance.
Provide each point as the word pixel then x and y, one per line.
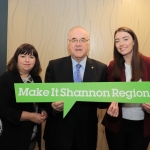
pixel 127 126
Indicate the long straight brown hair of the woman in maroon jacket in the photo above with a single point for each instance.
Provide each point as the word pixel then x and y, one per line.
pixel 136 62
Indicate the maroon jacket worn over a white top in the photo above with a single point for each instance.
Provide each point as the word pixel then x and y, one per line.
pixel 113 123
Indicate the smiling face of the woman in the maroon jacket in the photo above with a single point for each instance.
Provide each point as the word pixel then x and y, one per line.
pixel 124 43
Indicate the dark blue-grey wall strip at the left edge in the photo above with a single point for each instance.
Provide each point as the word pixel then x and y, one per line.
pixel 3 34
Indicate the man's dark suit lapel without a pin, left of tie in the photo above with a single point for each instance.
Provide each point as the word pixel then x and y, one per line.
pixel 68 71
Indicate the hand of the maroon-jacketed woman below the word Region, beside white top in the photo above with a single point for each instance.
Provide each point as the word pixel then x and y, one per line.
pixel 113 109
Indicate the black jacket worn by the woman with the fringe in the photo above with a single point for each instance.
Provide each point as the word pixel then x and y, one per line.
pixel 16 134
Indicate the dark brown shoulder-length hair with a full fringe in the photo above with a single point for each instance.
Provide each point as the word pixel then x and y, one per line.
pixel 25 49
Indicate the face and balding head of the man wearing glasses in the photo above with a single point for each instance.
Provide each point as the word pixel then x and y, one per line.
pixel 78 45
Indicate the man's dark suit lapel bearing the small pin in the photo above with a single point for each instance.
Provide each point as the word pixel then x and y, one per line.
pixel 89 69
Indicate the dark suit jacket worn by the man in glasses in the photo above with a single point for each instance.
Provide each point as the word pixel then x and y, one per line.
pixel 80 124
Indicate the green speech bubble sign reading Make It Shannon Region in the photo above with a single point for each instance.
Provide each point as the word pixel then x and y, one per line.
pixel 123 92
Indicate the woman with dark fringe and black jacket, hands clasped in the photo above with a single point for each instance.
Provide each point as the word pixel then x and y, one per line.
pixel 20 122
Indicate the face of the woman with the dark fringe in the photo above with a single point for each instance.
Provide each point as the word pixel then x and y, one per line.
pixel 25 63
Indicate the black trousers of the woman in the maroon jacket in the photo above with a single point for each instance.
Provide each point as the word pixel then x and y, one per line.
pixel 130 136
